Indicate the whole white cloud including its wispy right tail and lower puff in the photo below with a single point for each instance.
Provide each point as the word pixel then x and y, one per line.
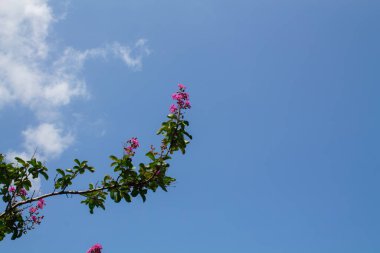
pixel 31 77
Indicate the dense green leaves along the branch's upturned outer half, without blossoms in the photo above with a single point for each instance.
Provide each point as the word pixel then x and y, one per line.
pixel 129 182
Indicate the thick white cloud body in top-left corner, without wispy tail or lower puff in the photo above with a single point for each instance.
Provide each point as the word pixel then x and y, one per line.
pixel 25 75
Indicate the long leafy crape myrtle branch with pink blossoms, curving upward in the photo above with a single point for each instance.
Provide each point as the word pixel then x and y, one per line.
pixel 129 183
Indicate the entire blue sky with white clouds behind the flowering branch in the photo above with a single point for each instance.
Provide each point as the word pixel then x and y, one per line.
pixel 285 120
